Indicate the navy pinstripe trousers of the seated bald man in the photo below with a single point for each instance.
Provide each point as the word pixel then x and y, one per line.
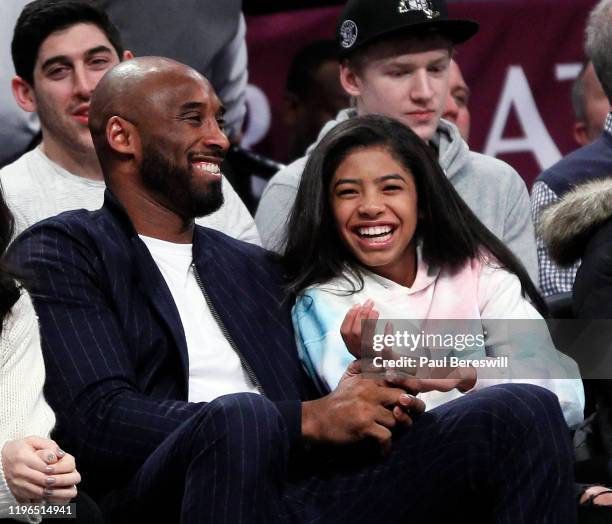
pixel 499 455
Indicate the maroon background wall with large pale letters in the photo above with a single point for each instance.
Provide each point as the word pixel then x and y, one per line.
pixel 515 66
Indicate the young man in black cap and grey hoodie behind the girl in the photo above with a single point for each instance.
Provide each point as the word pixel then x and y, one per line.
pixel 395 61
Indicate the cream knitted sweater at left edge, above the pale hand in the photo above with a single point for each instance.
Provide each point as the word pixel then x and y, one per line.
pixel 23 410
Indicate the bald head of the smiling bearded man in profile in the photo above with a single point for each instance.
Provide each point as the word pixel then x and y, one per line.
pixel 157 126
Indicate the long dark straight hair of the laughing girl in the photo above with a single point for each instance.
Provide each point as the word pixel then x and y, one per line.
pixel 449 231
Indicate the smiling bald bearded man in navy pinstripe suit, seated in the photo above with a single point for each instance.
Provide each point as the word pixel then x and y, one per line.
pixel 172 367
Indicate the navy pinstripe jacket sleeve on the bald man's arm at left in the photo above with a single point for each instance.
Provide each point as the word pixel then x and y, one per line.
pixel 102 417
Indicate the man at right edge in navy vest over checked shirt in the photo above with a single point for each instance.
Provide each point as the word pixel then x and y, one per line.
pixel 591 161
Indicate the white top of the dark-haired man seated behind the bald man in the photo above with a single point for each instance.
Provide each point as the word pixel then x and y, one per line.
pixel 36 188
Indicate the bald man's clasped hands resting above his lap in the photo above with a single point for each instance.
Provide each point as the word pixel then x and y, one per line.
pixel 359 408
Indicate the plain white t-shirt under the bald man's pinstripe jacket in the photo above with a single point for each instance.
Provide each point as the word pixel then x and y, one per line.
pixel 214 367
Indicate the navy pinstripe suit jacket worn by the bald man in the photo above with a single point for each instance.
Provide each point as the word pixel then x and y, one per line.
pixel 114 347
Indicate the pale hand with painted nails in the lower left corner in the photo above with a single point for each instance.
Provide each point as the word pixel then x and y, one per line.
pixel 36 468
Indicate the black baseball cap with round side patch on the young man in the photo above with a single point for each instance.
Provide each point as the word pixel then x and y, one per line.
pixel 363 21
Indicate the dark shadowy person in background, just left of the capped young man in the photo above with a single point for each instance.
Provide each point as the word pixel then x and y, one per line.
pixel 313 94
